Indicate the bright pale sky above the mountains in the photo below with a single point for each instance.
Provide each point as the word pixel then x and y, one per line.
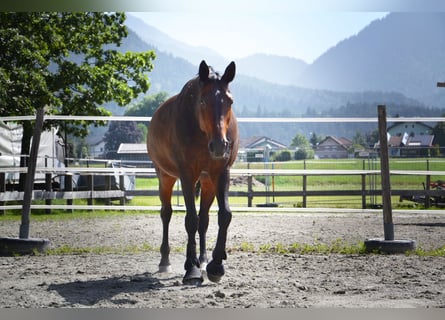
pixel 302 34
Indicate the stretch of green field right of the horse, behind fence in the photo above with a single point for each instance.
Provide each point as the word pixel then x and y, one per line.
pixel 338 182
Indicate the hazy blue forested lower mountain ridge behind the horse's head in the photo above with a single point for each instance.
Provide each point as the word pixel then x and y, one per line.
pixel 256 97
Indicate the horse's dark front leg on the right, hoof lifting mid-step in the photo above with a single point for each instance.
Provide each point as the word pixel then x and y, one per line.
pixel 215 269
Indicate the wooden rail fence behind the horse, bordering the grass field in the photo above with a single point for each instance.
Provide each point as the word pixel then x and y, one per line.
pixel 48 193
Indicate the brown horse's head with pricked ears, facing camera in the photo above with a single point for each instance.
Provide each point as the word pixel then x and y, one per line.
pixel 215 108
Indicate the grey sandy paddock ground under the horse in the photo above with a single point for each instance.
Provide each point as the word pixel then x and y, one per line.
pixel 253 278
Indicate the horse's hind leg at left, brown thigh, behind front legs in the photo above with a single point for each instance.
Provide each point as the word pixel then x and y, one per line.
pixel 166 184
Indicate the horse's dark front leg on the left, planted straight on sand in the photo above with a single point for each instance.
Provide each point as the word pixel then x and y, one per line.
pixel 193 275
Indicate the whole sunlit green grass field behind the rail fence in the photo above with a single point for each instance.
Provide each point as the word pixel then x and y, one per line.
pixel 295 183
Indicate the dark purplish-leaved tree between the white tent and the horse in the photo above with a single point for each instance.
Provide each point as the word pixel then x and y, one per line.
pixel 121 132
